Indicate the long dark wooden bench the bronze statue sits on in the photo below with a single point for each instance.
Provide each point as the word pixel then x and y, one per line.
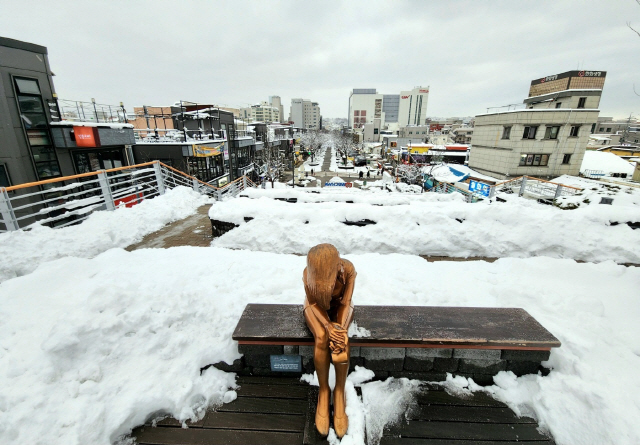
pixel 422 342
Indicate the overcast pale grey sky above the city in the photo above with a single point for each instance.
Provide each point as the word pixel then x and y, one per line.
pixel 473 54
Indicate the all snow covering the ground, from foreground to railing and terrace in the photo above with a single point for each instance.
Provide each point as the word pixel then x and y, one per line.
pixel 94 340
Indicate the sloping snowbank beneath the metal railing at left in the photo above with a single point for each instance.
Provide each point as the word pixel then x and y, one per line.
pixel 22 251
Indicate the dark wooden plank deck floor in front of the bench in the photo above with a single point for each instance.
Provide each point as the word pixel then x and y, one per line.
pixel 281 411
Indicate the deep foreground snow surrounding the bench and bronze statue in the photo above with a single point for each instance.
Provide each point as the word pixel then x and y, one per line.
pixel 90 348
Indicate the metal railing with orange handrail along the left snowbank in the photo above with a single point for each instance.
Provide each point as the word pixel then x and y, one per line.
pixel 70 200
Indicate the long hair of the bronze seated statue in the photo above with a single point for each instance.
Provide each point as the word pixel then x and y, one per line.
pixel 322 270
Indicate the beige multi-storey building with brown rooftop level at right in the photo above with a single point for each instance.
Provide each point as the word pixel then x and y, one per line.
pixel 547 136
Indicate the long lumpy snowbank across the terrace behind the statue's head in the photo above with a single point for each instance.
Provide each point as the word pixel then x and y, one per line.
pixel 430 224
